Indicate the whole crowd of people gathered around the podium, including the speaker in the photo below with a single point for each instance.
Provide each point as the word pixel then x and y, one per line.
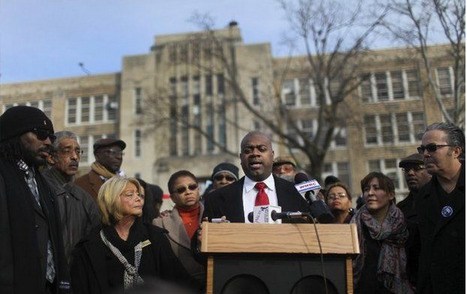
pixel 103 232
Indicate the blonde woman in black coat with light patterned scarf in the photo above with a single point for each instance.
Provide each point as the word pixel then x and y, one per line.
pixel 123 251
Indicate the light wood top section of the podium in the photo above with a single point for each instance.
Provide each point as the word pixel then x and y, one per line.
pixel 279 238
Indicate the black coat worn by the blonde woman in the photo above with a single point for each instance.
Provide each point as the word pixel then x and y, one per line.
pixel 91 259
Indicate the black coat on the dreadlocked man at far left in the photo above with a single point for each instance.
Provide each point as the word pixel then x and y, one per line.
pixel 25 229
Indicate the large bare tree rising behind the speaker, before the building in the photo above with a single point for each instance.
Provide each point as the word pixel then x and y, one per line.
pixel 335 37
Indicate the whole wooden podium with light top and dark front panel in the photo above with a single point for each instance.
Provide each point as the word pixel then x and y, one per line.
pixel 282 258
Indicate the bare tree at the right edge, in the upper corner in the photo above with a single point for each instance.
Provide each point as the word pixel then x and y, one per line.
pixel 417 23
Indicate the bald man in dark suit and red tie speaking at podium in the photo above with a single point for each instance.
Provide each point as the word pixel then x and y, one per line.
pixel 238 199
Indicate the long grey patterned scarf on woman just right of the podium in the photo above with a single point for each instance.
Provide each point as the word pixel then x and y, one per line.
pixel 392 234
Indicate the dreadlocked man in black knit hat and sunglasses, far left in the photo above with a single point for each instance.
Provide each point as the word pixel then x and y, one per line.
pixel 32 258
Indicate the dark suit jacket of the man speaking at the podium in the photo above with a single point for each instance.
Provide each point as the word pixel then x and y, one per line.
pixel 228 200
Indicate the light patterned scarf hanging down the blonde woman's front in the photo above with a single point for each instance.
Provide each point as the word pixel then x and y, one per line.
pixel 131 277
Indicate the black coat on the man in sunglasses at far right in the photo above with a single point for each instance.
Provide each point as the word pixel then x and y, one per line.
pixel 442 256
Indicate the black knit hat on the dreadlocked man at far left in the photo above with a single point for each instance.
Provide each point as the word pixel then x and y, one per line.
pixel 18 120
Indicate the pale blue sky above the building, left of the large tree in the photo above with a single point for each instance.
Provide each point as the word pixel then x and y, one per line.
pixel 46 39
